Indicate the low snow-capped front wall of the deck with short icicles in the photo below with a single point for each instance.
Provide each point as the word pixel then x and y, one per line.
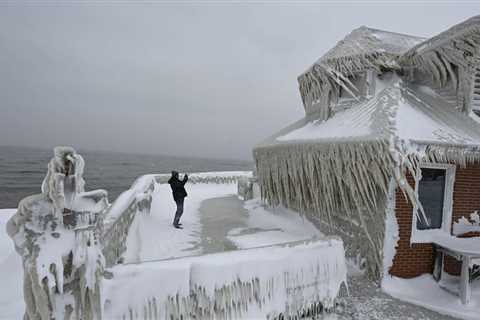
pixel 276 282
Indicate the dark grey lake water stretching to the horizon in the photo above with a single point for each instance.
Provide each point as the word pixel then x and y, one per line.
pixel 22 170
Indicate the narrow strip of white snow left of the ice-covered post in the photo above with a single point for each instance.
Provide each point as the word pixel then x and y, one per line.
pixel 11 292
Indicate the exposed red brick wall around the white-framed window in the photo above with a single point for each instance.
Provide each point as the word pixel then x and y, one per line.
pixel 416 259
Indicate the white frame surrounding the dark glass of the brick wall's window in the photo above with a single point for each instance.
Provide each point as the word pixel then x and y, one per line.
pixel 425 236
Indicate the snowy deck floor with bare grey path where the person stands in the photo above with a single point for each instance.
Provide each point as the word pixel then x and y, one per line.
pixel 214 219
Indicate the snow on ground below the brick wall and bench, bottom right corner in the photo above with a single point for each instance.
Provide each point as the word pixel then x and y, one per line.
pixel 425 291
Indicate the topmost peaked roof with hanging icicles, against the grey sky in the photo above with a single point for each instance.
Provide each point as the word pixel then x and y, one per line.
pixel 363 49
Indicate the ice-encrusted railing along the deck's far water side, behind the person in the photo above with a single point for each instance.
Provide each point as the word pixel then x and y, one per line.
pixel 138 198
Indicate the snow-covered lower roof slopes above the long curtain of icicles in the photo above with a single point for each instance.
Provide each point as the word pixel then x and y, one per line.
pixel 407 113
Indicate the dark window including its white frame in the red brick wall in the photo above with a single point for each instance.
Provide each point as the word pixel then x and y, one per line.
pixel 435 193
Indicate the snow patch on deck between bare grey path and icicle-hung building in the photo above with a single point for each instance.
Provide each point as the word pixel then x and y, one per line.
pixel 266 226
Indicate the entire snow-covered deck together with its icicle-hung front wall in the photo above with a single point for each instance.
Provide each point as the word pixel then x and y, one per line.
pixel 227 247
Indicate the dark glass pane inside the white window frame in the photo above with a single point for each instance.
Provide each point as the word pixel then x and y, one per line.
pixel 431 191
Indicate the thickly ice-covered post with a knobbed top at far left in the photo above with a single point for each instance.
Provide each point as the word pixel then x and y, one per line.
pixel 56 233
